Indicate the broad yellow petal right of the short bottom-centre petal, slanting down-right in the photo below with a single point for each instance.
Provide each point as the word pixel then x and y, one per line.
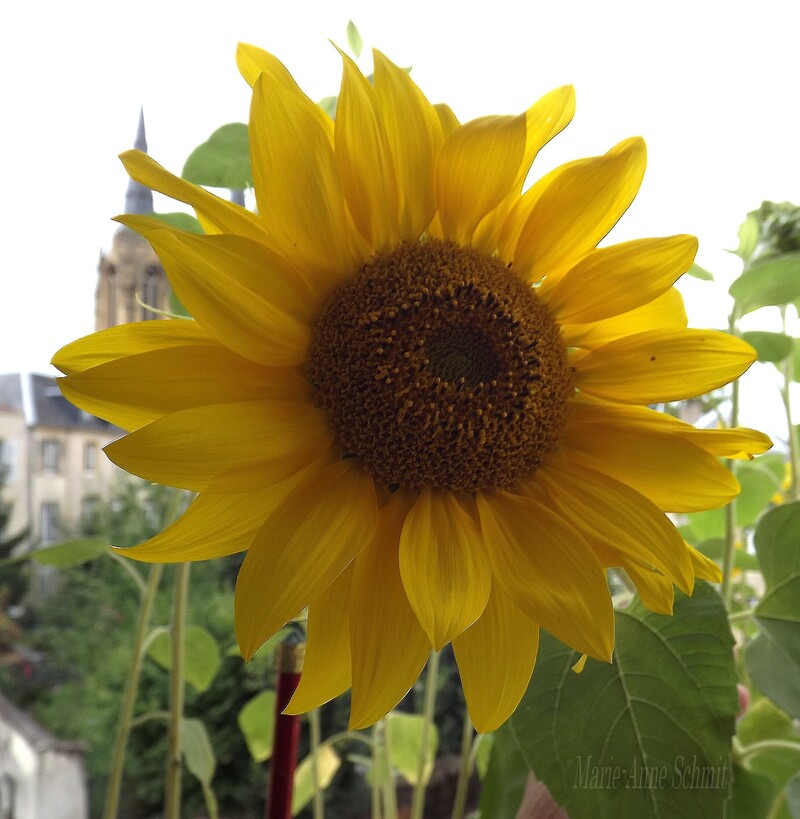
pixel 548 571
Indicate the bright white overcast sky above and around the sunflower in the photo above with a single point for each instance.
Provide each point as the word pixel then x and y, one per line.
pixel 711 86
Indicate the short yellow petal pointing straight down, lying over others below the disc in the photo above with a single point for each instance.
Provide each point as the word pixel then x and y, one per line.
pixel 444 568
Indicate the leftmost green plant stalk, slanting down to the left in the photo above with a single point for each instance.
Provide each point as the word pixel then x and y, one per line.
pixel 131 688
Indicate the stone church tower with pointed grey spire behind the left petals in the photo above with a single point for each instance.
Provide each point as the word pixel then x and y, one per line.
pixel 130 275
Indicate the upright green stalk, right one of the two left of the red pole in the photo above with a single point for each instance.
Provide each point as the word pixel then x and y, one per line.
pixel 172 799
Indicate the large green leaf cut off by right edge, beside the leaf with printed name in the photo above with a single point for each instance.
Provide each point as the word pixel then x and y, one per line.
pixel 773 658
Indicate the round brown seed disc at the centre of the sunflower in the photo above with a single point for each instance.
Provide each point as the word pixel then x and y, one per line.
pixel 441 369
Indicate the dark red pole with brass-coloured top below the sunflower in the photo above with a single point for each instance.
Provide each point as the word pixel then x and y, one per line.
pixel 287 732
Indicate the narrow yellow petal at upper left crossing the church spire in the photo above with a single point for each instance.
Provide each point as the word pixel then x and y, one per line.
pixel 215 214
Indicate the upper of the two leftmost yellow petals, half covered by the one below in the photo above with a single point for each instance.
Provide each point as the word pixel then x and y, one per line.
pixel 128 339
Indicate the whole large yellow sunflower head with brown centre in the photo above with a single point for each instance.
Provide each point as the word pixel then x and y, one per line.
pixel 415 393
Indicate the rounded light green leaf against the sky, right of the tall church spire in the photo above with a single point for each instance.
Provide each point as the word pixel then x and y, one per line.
pixel 223 161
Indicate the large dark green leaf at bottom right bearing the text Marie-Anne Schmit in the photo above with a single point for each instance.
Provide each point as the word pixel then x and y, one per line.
pixel 646 735
